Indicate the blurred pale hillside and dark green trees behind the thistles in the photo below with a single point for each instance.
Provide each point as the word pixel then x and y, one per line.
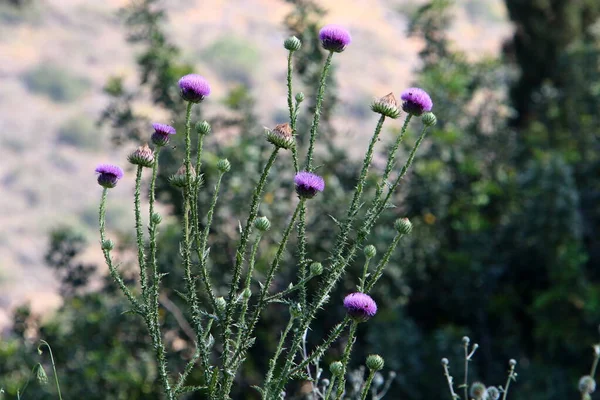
pixel 504 195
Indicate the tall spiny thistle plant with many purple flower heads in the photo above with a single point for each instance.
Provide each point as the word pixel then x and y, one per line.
pixel 224 321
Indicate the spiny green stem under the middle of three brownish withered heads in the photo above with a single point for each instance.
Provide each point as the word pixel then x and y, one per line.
pixel 240 252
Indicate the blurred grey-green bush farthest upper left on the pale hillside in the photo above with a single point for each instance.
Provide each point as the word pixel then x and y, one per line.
pixel 55 82
